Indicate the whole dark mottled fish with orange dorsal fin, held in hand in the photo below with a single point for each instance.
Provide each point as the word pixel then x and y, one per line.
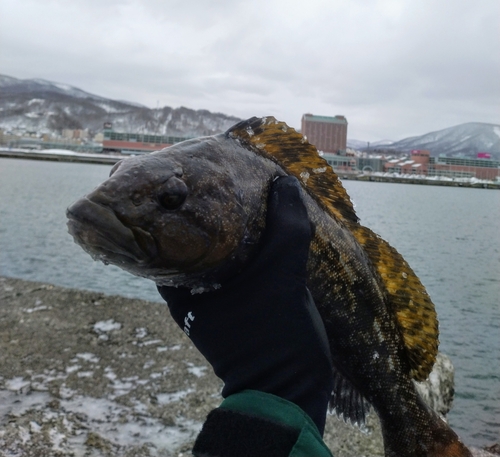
pixel 192 215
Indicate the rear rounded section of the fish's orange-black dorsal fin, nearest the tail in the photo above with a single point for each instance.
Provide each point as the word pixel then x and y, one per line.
pixel 408 301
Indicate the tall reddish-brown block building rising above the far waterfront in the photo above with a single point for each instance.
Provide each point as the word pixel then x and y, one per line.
pixel 328 134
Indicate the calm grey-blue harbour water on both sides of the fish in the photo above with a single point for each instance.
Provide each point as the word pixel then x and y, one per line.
pixel 450 236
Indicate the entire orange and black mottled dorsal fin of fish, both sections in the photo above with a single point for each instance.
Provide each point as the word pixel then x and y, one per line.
pixel 407 298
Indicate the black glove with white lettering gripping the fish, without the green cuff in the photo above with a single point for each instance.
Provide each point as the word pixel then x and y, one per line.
pixel 261 330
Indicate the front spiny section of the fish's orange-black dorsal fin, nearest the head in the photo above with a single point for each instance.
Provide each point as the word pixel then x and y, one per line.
pixel 288 148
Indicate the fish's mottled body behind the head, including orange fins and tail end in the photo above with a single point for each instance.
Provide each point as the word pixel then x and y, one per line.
pixel 381 323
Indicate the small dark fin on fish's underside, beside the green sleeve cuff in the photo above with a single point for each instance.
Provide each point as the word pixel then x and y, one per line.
pixel 346 401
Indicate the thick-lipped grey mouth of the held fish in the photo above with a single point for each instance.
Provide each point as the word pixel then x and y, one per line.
pixel 98 230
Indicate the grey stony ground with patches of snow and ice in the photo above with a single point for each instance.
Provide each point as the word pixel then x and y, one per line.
pixel 85 374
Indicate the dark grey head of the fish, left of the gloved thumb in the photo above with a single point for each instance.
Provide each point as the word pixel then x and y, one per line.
pixel 175 215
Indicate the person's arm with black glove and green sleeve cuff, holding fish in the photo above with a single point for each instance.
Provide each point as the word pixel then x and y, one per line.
pixel 265 339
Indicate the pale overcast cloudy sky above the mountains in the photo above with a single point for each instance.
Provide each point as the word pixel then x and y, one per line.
pixel 394 68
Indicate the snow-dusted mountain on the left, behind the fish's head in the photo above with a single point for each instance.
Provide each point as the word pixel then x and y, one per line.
pixel 48 107
